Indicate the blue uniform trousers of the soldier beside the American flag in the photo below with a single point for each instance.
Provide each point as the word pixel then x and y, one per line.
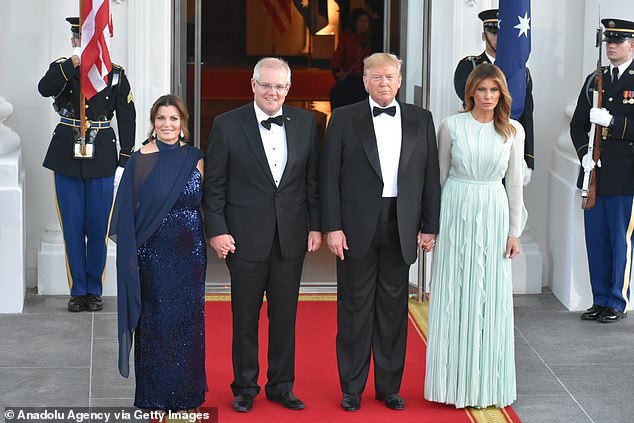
pixel 84 207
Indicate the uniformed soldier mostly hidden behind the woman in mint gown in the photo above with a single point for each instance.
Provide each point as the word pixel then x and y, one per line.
pixel 466 65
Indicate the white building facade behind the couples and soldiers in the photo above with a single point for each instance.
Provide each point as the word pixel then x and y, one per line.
pixel 35 33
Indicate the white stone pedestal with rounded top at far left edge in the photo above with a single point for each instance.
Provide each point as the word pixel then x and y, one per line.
pixel 12 246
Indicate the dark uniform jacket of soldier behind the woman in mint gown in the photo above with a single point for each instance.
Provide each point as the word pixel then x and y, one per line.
pixel 464 68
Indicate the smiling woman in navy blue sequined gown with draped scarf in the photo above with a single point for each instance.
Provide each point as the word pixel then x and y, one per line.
pixel 161 261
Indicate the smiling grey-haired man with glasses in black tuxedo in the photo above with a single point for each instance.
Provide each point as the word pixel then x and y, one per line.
pixel 261 205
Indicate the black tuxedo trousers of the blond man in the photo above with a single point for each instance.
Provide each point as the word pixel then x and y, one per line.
pixel 372 294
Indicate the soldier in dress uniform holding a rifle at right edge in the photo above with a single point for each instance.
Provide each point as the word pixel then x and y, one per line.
pixel 608 225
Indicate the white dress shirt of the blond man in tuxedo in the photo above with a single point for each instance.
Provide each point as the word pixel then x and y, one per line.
pixel 389 135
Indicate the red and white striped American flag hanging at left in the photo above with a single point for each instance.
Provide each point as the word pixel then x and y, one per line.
pixel 96 32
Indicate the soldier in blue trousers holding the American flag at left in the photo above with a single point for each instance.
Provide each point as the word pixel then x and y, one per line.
pixel 85 177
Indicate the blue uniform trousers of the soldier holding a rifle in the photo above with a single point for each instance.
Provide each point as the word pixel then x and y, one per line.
pixel 609 226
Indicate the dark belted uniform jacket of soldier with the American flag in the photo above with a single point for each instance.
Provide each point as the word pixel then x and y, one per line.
pixel 62 82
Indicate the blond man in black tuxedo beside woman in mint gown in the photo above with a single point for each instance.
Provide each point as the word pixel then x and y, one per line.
pixel 380 199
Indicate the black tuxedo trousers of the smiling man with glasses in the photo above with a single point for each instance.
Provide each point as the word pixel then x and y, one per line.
pixel 280 279
